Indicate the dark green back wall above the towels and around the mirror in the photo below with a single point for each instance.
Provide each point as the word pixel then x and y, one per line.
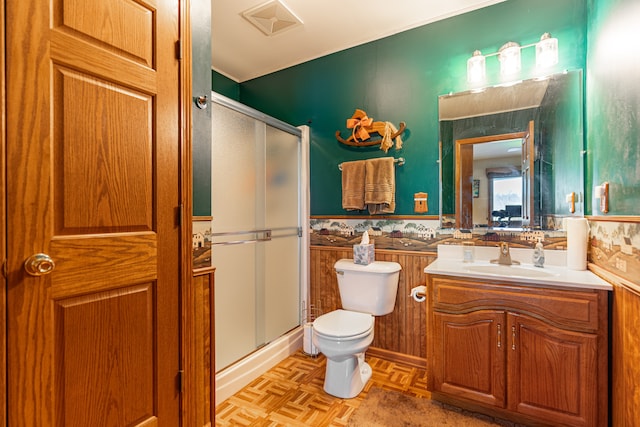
pixel 399 78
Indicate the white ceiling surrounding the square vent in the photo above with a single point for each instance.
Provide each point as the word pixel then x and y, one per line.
pixel 241 52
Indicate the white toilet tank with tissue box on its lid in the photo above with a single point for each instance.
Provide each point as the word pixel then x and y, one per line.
pixel 368 288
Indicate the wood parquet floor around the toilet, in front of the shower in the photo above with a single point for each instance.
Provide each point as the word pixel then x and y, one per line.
pixel 291 394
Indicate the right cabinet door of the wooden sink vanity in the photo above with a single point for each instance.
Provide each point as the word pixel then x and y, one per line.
pixel 552 373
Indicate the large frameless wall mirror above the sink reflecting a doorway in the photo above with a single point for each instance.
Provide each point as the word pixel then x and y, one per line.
pixel 511 155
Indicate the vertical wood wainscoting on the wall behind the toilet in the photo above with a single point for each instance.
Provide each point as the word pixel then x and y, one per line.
pixel 400 335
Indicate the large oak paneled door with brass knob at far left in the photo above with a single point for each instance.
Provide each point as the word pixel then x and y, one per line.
pixel 93 155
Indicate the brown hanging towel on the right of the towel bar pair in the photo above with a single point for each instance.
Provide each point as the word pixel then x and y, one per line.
pixel 380 185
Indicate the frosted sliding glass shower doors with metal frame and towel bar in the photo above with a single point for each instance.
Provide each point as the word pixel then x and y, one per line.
pixel 259 230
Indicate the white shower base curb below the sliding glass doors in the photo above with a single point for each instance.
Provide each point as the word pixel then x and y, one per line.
pixel 232 379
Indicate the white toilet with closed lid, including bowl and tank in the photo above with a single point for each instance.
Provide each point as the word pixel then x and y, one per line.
pixel 344 335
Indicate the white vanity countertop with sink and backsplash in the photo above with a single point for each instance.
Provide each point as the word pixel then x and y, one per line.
pixel 553 274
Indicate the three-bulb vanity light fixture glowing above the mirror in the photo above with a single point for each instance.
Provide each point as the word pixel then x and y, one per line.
pixel 510 59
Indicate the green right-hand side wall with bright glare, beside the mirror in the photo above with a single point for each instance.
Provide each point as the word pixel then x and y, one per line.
pixel 613 104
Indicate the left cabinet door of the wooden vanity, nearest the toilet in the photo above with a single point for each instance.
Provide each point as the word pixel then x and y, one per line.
pixel 468 356
